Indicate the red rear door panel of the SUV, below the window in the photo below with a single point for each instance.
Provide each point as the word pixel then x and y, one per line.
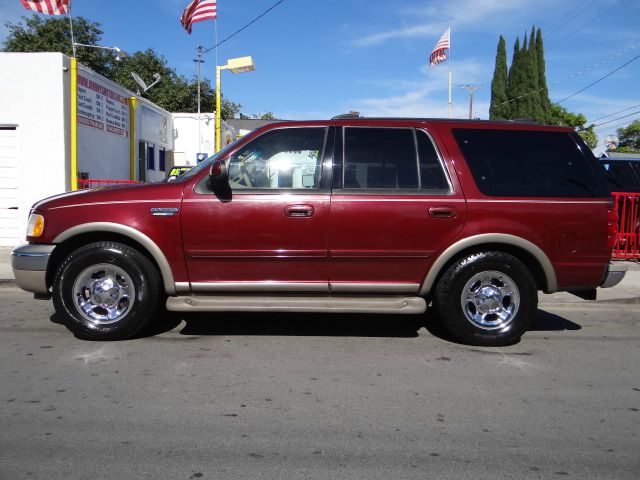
pixel 385 239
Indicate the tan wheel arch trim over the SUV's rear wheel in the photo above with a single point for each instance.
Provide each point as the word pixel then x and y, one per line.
pixel 528 253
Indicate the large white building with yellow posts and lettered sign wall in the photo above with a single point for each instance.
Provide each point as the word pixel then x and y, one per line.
pixel 51 138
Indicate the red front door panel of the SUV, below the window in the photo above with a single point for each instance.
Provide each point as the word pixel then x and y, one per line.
pixel 251 238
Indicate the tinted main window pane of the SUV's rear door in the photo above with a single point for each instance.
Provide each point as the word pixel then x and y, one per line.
pixel 380 158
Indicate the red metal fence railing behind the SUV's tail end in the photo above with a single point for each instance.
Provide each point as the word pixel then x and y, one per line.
pixel 628 241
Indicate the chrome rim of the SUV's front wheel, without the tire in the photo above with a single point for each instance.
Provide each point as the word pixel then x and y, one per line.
pixel 103 293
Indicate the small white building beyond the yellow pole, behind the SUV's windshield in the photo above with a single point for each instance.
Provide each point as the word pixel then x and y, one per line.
pixel 190 139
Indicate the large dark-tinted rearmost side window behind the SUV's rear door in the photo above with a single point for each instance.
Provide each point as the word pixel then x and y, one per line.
pixel 519 163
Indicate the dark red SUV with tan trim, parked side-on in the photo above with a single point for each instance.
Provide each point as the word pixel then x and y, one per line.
pixel 346 215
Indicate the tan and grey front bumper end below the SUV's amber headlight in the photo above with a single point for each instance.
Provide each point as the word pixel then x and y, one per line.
pixel 29 263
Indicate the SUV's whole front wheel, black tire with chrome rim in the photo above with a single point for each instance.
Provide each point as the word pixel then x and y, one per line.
pixel 106 291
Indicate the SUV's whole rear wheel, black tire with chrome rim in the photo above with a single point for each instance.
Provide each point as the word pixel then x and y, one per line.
pixel 486 299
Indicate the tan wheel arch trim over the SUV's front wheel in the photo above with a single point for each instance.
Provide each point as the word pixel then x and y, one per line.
pixel 78 236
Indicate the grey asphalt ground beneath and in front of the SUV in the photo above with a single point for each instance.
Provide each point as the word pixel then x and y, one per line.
pixel 320 396
